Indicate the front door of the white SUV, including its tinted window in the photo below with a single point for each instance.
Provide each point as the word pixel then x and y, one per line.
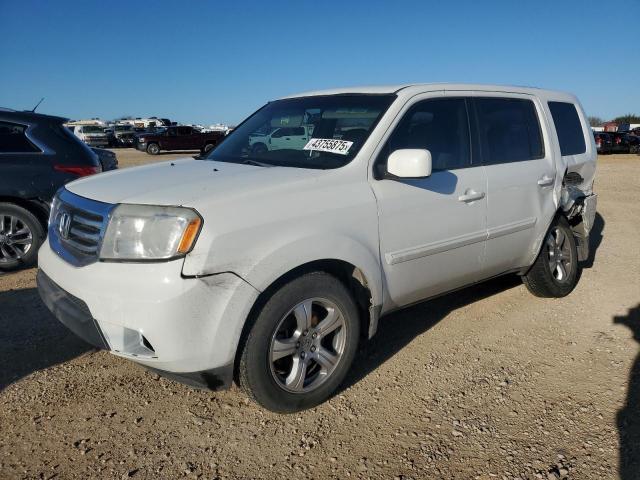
pixel 432 230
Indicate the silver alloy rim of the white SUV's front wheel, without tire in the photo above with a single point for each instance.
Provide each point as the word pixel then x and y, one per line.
pixel 307 345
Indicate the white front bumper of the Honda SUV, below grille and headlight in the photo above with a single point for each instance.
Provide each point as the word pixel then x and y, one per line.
pixel 149 313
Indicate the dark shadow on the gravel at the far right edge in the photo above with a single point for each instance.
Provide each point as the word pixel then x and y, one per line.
pixel 628 418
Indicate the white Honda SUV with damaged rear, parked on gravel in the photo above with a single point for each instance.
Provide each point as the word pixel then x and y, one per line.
pixel 269 268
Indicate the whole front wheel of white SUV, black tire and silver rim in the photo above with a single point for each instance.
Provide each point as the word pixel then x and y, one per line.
pixel 301 345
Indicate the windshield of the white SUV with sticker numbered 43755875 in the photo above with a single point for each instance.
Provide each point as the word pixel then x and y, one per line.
pixel 307 132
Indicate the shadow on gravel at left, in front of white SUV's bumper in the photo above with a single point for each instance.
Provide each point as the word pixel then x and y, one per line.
pixel 30 337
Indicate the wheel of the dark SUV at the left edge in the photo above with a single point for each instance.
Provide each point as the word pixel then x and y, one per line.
pixel 21 235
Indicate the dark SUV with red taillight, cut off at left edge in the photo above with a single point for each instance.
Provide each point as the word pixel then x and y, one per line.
pixel 37 156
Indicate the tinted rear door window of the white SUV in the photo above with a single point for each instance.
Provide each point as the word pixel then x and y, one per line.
pixel 509 130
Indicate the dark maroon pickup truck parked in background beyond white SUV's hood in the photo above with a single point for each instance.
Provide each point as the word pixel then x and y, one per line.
pixel 177 138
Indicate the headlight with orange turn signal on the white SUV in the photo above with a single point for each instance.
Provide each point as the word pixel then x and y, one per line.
pixel 146 232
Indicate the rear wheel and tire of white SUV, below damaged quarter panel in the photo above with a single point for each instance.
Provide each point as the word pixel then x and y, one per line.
pixel 555 271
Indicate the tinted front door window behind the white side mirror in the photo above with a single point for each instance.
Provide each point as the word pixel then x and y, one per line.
pixel 440 126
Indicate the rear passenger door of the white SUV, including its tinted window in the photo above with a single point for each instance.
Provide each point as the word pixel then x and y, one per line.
pixel 521 175
